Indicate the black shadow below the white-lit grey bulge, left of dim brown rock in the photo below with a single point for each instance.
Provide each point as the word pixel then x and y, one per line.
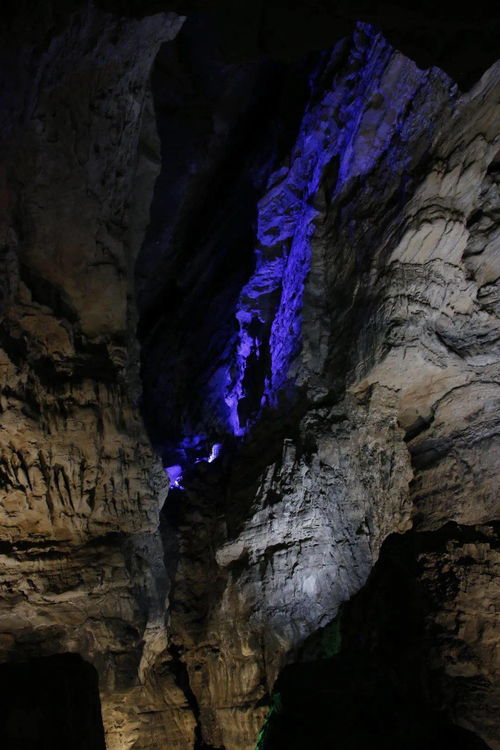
pixel 378 692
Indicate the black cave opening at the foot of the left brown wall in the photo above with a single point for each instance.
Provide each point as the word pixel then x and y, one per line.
pixel 50 703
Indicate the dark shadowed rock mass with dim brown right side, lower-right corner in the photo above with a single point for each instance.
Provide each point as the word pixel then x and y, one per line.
pixel 382 674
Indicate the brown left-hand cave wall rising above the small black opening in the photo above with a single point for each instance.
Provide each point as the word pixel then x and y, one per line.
pixel 81 564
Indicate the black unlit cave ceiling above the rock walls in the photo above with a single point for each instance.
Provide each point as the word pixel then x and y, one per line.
pixel 461 39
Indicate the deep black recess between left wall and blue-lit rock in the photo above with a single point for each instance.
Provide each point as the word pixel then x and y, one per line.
pixel 222 130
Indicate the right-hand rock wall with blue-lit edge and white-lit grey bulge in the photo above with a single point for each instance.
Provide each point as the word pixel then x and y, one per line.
pixel 360 377
